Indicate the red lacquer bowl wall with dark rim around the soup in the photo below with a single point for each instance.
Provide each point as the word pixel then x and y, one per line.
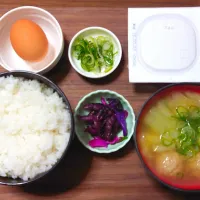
pixel 186 186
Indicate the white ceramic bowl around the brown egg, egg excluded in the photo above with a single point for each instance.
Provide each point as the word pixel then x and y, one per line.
pixel 8 57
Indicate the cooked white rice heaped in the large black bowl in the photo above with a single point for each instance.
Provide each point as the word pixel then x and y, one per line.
pixel 34 127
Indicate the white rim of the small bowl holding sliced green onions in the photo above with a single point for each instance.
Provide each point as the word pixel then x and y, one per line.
pixel 98 28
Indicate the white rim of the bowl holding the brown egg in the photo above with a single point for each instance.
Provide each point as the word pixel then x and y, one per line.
pixel 58 56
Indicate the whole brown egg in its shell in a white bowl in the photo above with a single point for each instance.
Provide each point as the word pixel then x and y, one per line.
pixel 28 40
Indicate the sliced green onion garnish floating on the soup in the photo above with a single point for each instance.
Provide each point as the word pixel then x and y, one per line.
pixel 187 141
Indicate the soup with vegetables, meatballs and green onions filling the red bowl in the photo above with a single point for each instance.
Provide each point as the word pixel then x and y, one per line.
pixel 169 138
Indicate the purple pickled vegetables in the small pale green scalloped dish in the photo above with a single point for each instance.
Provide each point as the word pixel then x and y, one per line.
pixel 104 121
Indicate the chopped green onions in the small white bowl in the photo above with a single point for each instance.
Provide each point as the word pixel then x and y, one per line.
pixel 95 54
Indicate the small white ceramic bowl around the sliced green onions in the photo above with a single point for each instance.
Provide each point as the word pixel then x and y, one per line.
pixel 95 31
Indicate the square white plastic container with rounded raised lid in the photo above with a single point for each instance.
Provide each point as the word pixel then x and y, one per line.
pixel 163 44
